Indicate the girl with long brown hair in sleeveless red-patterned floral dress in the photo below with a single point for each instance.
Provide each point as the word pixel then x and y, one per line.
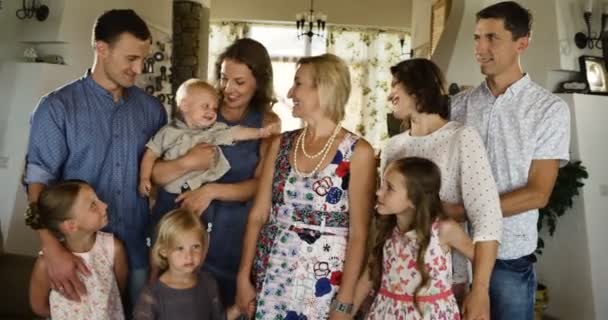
pixel 410 265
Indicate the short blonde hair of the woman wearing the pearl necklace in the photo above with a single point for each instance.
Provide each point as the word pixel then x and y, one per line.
pixel 332 80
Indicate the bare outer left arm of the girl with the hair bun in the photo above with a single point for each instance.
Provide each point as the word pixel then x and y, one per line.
pixel 40 289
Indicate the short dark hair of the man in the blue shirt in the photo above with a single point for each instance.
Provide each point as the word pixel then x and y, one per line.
pixel 111 24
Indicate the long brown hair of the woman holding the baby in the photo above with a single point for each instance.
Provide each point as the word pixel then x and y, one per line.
pixel 255 56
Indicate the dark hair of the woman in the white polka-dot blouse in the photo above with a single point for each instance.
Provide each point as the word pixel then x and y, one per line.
pixel 425 81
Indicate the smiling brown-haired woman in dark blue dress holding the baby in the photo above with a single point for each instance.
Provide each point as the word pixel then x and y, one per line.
pixel 244 74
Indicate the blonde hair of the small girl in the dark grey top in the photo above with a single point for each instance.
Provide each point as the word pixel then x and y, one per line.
pixel 174 223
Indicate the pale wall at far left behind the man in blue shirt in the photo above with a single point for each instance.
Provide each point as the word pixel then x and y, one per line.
pixel 67 32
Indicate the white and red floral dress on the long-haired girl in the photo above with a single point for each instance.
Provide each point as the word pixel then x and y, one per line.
pixel 400 278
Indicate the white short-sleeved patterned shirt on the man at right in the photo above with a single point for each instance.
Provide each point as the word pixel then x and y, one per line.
pixel 525 123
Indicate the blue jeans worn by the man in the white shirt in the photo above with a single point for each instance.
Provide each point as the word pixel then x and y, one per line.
pixel 512 289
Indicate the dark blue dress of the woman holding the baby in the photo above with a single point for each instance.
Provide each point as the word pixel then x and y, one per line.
pixel 228 218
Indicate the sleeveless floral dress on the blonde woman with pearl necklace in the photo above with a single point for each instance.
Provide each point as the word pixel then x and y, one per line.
pixel 300 252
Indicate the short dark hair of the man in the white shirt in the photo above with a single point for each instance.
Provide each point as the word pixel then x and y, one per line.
pixel 517 19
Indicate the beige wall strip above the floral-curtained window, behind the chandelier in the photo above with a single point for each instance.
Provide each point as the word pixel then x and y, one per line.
pixel 384 13
